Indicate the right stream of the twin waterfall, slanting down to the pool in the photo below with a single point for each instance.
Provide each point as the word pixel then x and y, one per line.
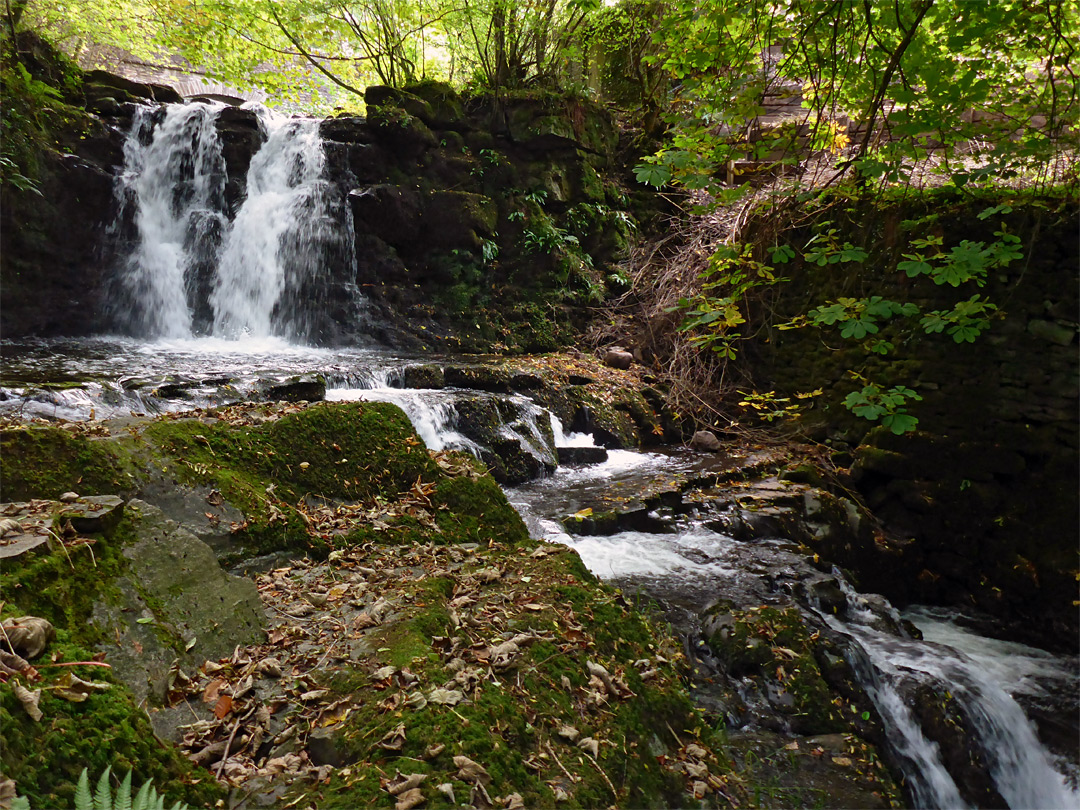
pixel 265 254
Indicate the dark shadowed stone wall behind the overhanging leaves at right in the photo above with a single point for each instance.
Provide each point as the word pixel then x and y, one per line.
pixel 980 505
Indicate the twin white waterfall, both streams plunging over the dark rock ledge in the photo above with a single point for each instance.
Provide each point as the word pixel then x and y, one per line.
pixel 196 268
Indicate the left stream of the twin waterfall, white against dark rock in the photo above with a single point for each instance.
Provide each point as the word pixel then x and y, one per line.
pixel 174 174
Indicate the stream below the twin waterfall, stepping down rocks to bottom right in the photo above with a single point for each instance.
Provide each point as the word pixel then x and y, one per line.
pixel 1018 707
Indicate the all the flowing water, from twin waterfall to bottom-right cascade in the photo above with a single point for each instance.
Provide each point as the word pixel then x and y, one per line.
pixel 218 304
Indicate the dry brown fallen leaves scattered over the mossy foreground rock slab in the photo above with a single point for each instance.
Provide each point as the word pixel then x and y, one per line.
pixel 275 705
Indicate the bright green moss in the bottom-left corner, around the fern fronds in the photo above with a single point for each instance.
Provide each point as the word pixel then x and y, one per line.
pixel 109 730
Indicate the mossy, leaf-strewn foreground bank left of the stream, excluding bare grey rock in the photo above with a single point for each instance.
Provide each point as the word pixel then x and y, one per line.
pixel 435 652
